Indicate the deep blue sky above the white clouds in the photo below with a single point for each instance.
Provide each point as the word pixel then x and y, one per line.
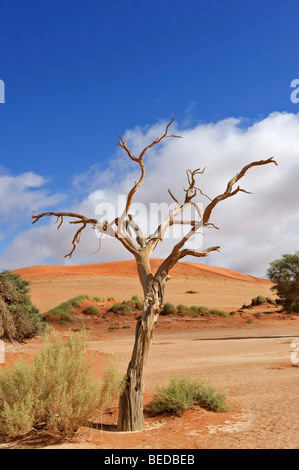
pixel 76 72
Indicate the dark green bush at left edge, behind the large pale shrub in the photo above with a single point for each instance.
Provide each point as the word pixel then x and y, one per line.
pixel 19 318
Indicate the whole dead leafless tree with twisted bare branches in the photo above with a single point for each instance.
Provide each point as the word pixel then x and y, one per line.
pixel 141 247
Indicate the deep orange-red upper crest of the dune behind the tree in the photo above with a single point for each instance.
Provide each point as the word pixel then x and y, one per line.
pixel 128 269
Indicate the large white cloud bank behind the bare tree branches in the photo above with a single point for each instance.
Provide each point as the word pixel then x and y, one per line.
pixel 254 229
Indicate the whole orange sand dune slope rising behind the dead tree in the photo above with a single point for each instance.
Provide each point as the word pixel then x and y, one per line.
pixel 217 287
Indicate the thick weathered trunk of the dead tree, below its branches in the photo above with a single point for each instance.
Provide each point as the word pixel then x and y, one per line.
pixel 130 416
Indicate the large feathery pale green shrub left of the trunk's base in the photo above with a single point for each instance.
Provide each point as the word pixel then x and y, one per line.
pixel 57 392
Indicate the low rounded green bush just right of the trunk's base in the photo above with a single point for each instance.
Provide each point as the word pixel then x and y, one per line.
pixel 182 393
